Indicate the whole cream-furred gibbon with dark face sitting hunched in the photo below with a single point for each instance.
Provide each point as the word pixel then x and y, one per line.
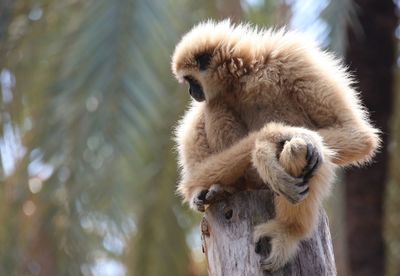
pixel 269 108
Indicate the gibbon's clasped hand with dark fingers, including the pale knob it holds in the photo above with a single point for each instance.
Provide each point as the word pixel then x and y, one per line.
pixel 287 158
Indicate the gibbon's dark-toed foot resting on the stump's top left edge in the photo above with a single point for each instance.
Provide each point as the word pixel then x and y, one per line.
pixel 205 197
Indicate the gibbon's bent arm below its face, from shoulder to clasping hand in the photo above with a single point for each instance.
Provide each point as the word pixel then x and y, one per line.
pixel 201 168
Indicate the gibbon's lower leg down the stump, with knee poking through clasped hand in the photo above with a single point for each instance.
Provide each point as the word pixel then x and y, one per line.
pixel 294 222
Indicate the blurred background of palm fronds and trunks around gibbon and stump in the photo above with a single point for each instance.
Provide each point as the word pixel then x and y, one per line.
pixel 88 104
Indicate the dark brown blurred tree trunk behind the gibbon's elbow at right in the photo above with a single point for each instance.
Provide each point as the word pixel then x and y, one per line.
pixel 371 56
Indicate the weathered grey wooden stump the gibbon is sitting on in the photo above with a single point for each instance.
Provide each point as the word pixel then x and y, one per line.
pixel 228 241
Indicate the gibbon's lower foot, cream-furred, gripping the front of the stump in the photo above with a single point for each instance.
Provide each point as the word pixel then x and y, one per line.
pixel 283 246
